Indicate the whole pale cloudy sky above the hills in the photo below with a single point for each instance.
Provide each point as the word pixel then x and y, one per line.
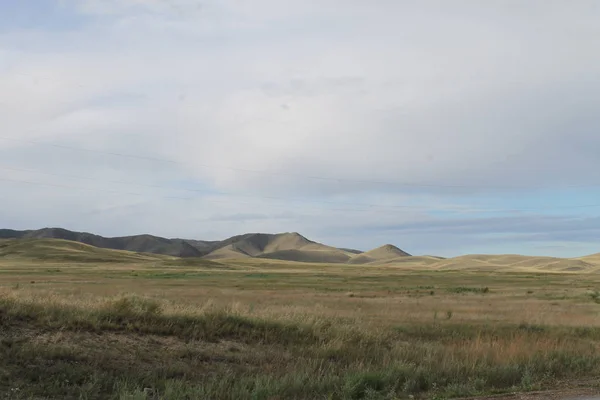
pixel 444 128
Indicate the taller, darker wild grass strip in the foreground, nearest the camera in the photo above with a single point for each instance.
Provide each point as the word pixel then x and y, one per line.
pixel 131 348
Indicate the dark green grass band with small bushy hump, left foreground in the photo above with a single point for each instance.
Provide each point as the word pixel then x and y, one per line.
pixel 142 316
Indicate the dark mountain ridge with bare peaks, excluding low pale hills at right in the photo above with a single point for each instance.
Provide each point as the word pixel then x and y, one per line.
pixel 289 246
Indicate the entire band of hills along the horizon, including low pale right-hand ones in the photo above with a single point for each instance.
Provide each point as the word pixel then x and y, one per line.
pixel 54 244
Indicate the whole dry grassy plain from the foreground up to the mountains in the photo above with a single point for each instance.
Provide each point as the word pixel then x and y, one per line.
pixel 85 323
